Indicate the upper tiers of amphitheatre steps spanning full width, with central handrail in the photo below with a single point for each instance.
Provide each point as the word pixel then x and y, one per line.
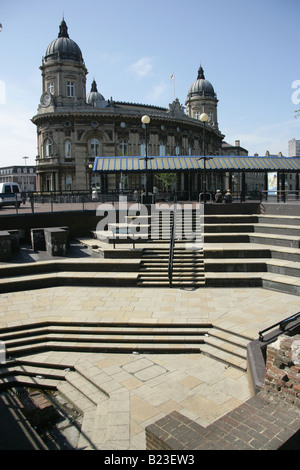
pixel 235 250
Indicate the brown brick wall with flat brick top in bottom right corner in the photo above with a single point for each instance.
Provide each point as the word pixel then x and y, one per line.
pixel 269 420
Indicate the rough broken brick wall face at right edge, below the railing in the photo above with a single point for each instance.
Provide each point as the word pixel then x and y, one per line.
pixel 283 369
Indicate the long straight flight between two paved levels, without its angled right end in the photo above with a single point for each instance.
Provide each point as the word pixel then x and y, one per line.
pixel 104 338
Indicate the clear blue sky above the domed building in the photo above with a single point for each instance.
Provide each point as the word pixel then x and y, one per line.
pixel 249 50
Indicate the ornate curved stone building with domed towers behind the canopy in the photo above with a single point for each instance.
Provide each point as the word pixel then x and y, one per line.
pixel 73 126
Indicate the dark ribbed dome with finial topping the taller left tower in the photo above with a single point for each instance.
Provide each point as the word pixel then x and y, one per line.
pixel 63 47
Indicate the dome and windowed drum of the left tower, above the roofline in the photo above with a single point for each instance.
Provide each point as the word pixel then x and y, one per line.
pixel 63 72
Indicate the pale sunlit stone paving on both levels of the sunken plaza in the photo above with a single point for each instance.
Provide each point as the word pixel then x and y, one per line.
pixel 197 386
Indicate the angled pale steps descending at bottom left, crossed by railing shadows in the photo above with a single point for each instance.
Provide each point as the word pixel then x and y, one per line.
pixel 91 392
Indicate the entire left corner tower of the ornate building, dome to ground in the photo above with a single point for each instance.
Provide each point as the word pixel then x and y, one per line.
pixel 61 160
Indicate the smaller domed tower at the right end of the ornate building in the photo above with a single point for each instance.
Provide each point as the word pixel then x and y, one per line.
pixel 202 99
